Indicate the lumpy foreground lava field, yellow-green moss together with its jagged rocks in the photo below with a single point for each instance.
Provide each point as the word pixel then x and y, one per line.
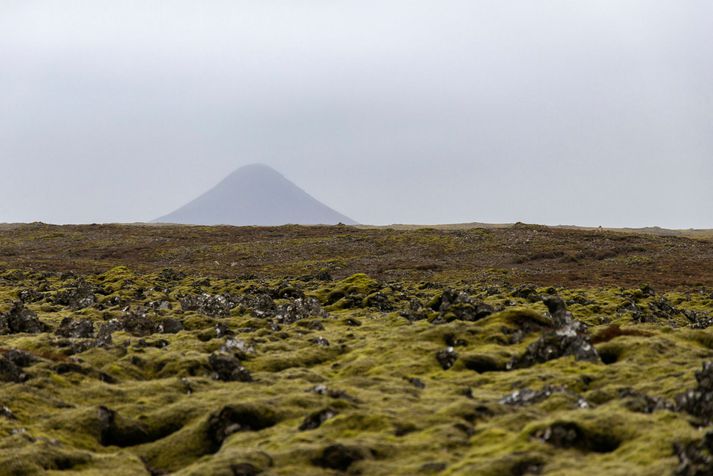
pixel 169 372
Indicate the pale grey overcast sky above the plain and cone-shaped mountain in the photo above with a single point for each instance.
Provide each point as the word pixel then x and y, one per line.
pixel 581 112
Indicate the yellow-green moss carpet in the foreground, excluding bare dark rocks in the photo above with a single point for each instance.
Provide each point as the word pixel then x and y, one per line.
pixel 393 402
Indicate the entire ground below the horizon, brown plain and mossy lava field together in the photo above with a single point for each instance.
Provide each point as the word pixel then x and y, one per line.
pixel 327 350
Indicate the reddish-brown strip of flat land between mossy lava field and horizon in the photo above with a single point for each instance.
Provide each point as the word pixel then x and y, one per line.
pixel 519 254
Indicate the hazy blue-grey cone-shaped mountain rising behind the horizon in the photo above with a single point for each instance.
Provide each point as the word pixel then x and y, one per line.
pixel 255 195
